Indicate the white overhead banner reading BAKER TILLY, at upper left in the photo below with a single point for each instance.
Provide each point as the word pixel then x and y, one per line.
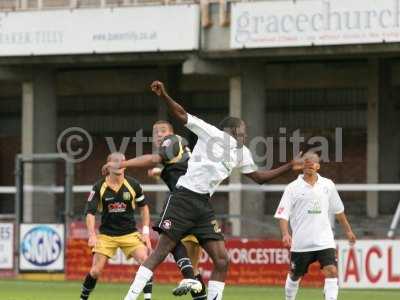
pixel 86 31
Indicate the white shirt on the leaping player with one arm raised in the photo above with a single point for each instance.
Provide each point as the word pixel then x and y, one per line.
pixel 214 157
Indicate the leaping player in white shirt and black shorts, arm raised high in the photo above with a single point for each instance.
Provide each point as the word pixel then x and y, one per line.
pixel 188 209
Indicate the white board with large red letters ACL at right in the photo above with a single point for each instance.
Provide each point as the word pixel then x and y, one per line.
pixel 369 264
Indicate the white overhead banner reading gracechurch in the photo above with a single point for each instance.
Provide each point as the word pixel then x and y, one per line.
pixel 314 22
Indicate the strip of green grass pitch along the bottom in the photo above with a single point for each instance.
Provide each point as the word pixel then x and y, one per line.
pixel 29 290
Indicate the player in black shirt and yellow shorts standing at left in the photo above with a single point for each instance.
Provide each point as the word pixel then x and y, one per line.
pixel 116 197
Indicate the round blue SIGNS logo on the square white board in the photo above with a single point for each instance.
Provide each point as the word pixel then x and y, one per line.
pixel 41 246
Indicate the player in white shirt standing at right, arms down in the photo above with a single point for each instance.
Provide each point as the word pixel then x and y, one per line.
pixel 307 204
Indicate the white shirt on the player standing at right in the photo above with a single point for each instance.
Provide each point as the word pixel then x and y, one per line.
pixel 307 208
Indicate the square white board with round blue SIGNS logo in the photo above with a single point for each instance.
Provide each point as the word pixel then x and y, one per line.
pixel 41 247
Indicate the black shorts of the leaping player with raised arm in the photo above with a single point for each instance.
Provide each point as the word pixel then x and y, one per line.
pixel 187 212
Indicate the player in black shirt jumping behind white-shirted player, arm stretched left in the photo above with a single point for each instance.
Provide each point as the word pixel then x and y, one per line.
pixel 173 154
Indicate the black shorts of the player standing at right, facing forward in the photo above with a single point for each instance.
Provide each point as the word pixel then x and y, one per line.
pixel 300 261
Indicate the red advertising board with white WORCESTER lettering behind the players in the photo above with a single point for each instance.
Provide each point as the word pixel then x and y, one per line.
pixel 253 262
